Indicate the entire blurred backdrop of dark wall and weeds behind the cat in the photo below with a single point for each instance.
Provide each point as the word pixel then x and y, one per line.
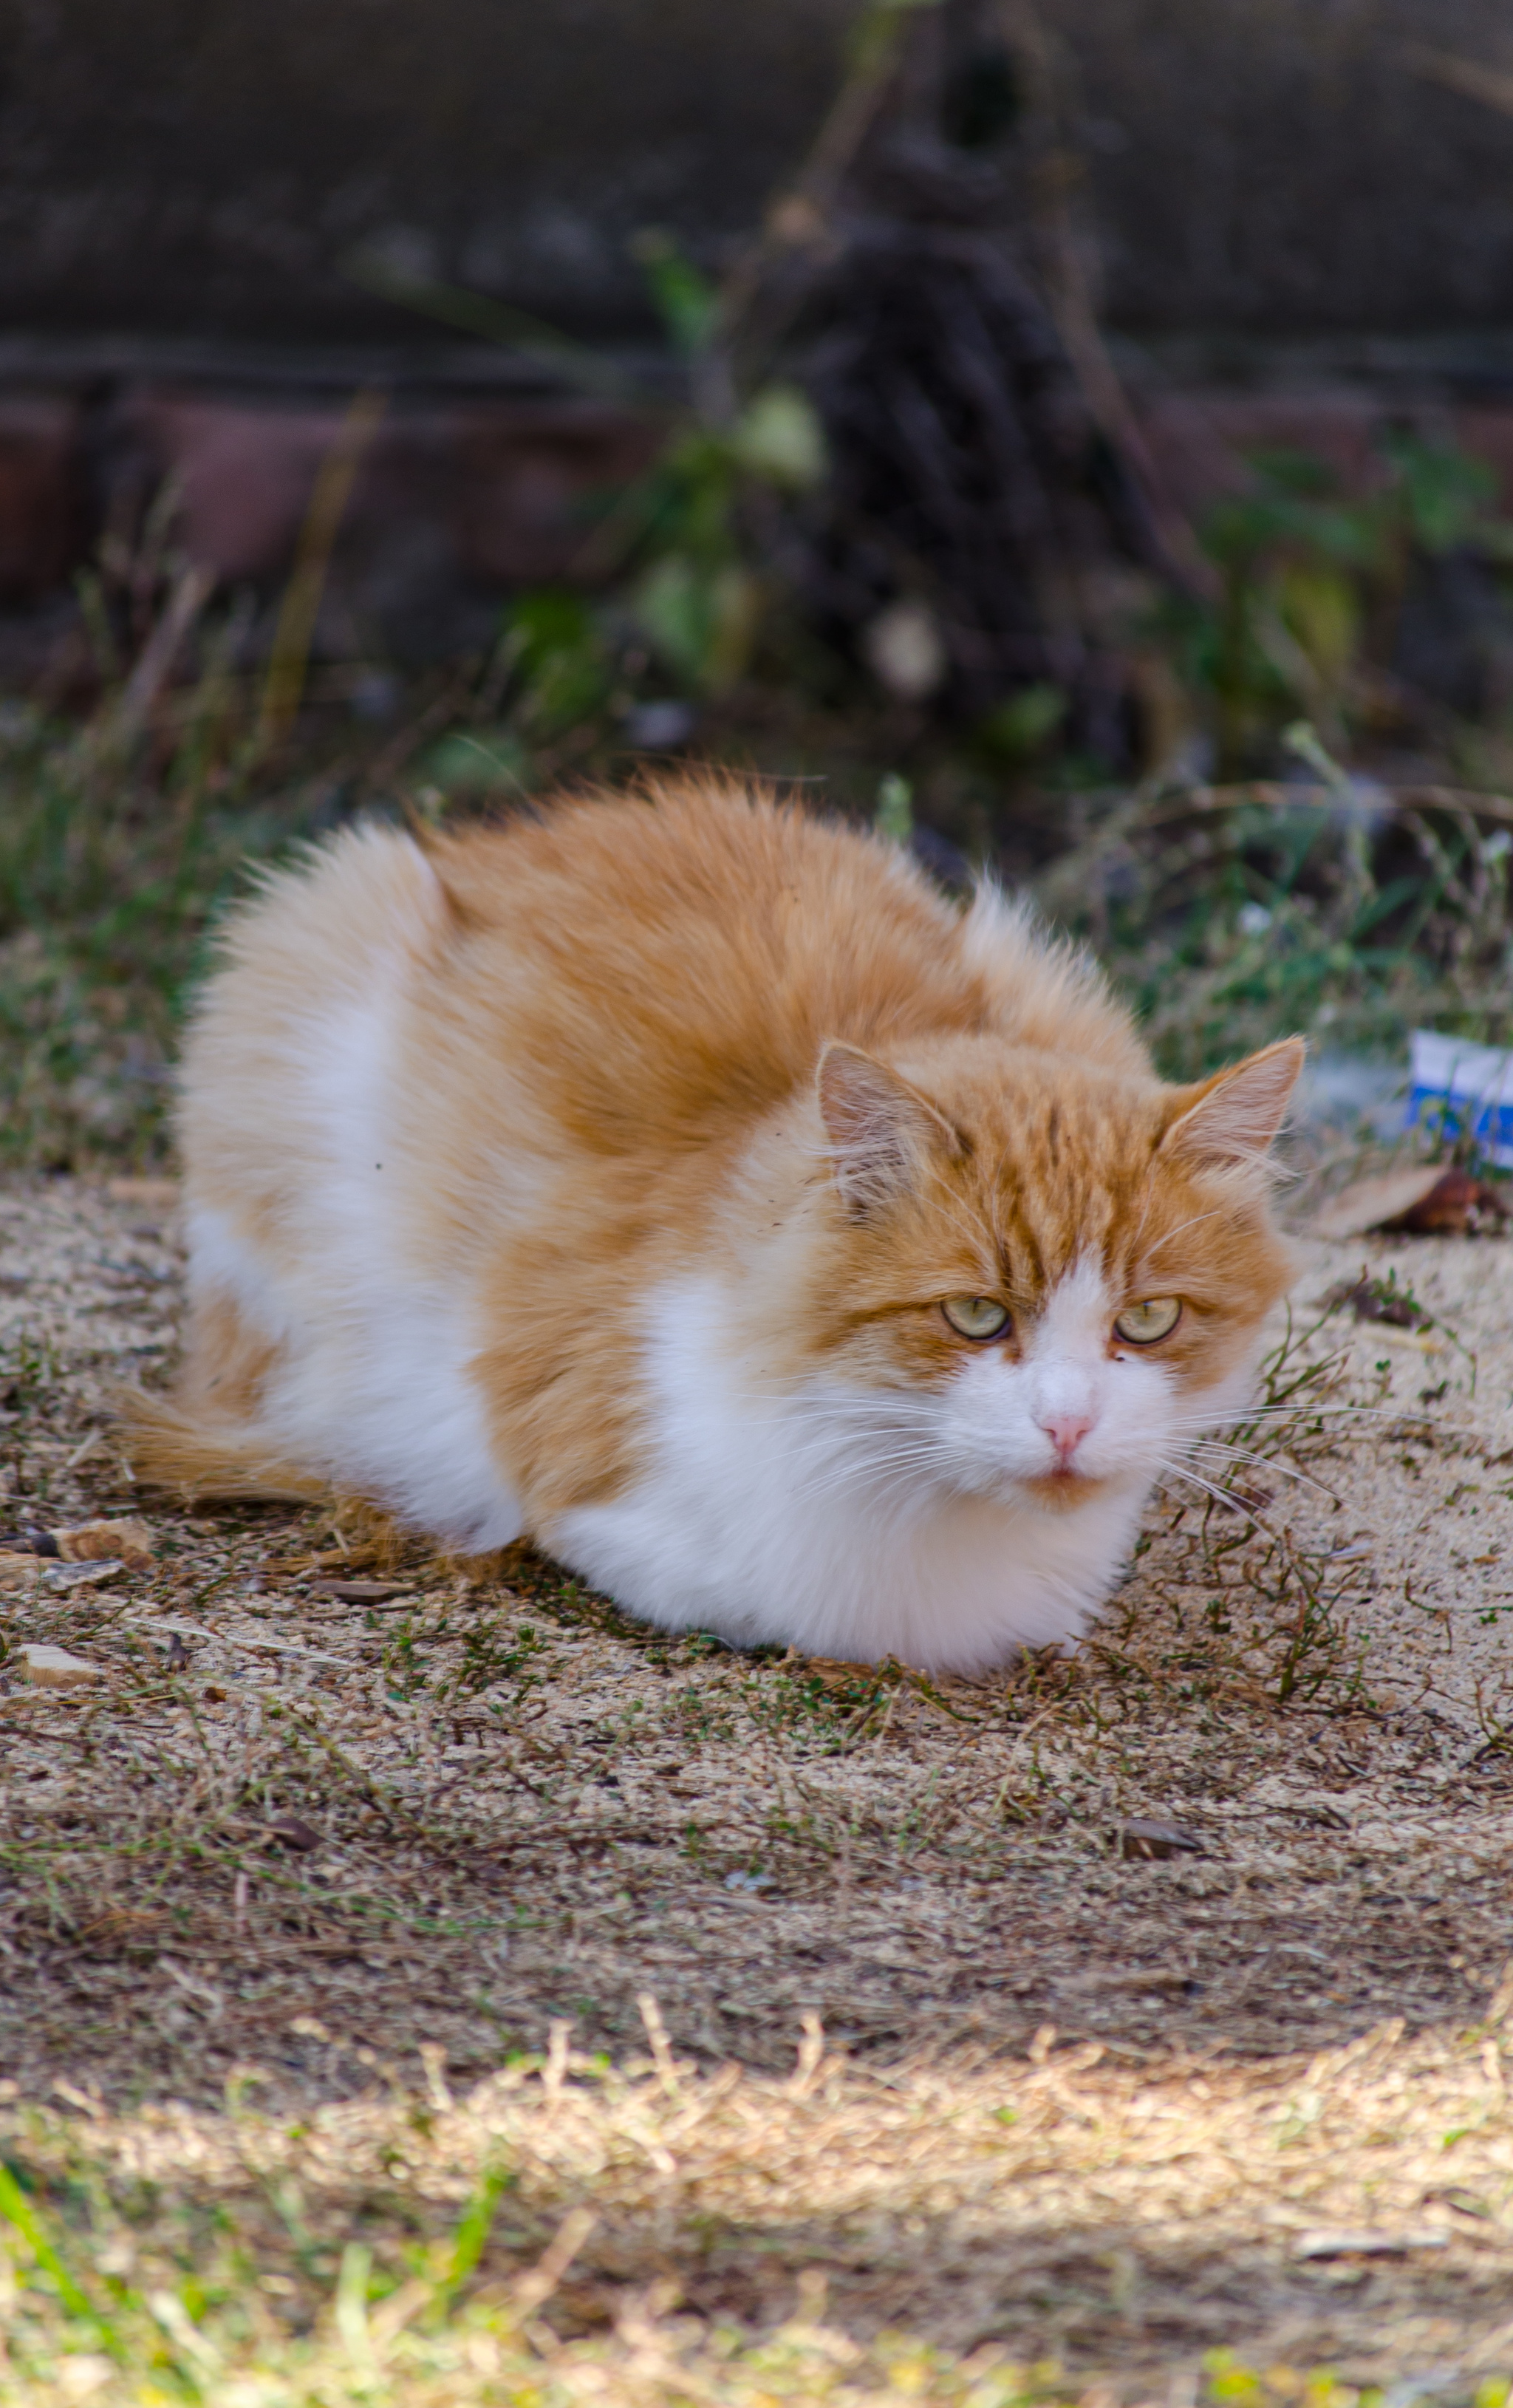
pixel 1071 437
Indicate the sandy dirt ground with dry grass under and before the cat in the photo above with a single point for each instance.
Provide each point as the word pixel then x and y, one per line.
pixel 1141 2002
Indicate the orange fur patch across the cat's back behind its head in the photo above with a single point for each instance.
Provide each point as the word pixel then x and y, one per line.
pixel 678 960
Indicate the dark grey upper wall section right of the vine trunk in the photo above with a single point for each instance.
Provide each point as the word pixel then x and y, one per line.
pixel 1290 167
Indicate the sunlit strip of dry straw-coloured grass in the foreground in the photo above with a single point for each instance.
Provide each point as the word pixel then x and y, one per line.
pixel 1346 2209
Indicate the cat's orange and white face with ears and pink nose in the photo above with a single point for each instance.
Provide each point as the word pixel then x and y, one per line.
pixel 1040 1282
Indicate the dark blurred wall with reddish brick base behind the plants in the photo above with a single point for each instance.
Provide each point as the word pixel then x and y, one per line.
pixel 182 184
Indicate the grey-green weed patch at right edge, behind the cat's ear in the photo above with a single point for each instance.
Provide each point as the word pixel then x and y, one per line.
pixel 1329 907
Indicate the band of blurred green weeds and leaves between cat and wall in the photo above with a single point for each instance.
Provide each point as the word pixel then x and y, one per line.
pixel 1314 899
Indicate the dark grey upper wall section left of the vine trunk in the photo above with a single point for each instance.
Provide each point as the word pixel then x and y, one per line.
pixel 201 167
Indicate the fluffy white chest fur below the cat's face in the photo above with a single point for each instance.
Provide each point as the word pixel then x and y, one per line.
pixel 772 1521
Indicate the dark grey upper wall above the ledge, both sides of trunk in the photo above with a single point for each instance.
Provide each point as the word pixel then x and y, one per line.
pixel 201 167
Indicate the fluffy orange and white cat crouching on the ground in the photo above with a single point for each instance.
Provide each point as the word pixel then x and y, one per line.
pixel 688 1186
